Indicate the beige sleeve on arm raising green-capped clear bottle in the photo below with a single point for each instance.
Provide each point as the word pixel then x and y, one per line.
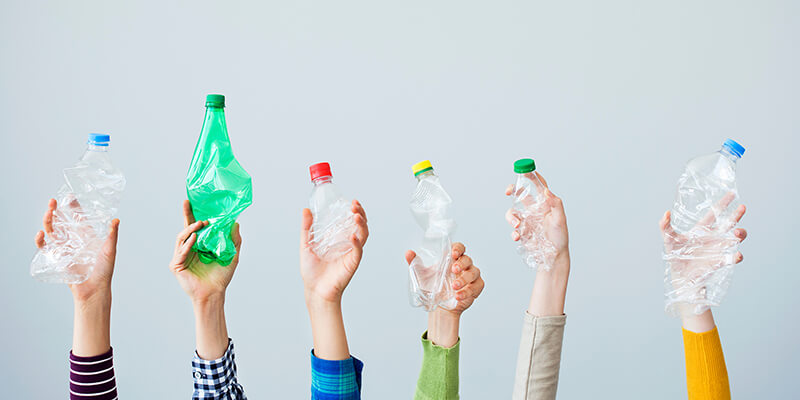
pixel 539 358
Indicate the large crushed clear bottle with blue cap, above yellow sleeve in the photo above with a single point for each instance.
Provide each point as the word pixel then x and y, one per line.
pixel 700 249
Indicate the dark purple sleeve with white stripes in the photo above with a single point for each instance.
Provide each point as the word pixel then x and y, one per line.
pixel 92 377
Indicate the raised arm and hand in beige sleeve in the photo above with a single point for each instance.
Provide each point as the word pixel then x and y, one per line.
pixel 539 358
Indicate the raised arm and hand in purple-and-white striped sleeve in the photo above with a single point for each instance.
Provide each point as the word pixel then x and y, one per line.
pixel 91 359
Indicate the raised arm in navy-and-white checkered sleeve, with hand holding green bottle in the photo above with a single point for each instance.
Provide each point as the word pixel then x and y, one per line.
pixel 214 367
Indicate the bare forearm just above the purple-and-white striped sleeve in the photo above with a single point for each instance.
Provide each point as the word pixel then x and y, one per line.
pixel 92 325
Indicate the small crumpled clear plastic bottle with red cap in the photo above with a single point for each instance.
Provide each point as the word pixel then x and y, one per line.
pixel 333 218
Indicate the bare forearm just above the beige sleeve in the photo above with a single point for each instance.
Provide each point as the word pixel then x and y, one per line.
pixel 550 289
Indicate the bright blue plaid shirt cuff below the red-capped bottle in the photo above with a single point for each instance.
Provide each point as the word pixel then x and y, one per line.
pixel 335 380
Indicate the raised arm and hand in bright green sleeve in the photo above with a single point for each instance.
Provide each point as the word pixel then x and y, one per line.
pixel 438 377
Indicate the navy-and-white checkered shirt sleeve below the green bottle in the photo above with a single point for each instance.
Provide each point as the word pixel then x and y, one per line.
pixel 216 379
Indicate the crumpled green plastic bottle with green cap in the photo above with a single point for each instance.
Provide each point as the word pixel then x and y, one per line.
pixel 218 188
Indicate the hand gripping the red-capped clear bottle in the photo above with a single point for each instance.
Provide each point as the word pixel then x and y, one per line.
pixel 325 280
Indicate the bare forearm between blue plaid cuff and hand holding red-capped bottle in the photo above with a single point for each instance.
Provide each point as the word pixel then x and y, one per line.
pixel 327 328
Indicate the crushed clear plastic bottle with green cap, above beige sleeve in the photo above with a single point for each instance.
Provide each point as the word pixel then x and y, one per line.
pixel 530 207
